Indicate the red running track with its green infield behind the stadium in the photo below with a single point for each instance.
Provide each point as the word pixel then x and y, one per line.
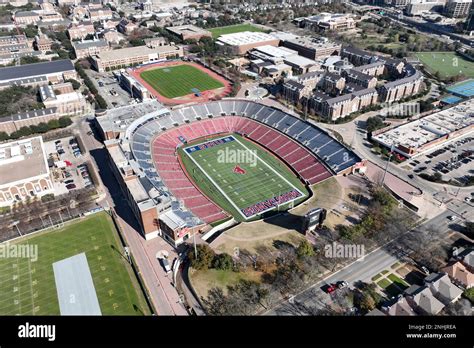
pixel 177 82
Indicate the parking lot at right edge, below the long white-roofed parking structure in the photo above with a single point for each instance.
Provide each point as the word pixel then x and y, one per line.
pixel 454 161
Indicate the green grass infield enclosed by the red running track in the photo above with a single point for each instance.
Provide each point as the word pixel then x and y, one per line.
pixel 177 81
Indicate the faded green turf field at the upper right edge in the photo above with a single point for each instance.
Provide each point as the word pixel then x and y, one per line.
pixel 448 64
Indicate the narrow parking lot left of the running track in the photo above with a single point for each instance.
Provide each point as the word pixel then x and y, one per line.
pixel 110 89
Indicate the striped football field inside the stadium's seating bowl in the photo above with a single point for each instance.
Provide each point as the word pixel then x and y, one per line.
pixel 264 176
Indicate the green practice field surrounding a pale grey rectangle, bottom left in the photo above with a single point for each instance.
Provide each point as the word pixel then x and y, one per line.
pixel 27 287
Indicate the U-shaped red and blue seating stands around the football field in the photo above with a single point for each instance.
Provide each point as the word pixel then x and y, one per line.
pixel 311 152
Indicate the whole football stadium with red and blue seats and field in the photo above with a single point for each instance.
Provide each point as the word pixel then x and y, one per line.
pixel 196 166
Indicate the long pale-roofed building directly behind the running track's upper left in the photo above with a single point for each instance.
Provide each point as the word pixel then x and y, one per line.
pixel 124 57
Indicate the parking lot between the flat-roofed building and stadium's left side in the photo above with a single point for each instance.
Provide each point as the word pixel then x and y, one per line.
pixel 66 162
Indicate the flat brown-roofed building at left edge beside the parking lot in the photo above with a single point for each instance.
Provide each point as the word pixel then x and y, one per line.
pixel 24 171
